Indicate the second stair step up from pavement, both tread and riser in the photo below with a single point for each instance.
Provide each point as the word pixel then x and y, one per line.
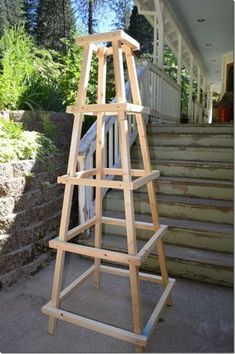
pixel 181 232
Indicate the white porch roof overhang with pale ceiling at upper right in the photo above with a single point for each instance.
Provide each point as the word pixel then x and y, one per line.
pixel 200 32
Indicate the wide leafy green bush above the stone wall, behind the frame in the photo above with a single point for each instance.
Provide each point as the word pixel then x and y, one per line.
pixel 36 78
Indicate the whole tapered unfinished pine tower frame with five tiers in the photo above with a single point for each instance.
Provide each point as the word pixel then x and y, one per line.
pixel 132 179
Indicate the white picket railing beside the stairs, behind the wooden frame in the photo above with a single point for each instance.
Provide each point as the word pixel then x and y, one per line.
pixel 161 94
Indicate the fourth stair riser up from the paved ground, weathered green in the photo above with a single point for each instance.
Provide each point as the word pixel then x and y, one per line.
pixel 197 191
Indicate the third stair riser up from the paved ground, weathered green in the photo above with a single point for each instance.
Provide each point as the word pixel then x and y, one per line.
pixel 176 210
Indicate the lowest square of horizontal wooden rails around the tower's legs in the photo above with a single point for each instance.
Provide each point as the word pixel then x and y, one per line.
pixel 140 340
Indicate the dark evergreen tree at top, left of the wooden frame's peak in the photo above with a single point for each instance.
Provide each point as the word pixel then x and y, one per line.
pixel 54 21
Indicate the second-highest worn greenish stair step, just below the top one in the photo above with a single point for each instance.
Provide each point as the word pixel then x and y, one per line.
pixel 187 139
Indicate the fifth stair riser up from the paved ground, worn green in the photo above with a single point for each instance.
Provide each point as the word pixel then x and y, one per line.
pixel 191 171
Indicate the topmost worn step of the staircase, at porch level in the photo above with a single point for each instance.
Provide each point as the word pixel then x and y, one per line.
pixel 190 128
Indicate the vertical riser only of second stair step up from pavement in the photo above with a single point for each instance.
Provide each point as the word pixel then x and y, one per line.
pixel 183 237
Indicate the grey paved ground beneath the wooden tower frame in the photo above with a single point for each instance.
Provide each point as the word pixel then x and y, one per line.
pixel 200 321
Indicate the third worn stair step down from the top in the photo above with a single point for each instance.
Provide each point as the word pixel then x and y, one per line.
pixel 202 153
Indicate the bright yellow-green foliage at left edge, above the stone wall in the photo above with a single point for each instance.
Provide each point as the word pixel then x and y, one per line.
pixel 16 66
